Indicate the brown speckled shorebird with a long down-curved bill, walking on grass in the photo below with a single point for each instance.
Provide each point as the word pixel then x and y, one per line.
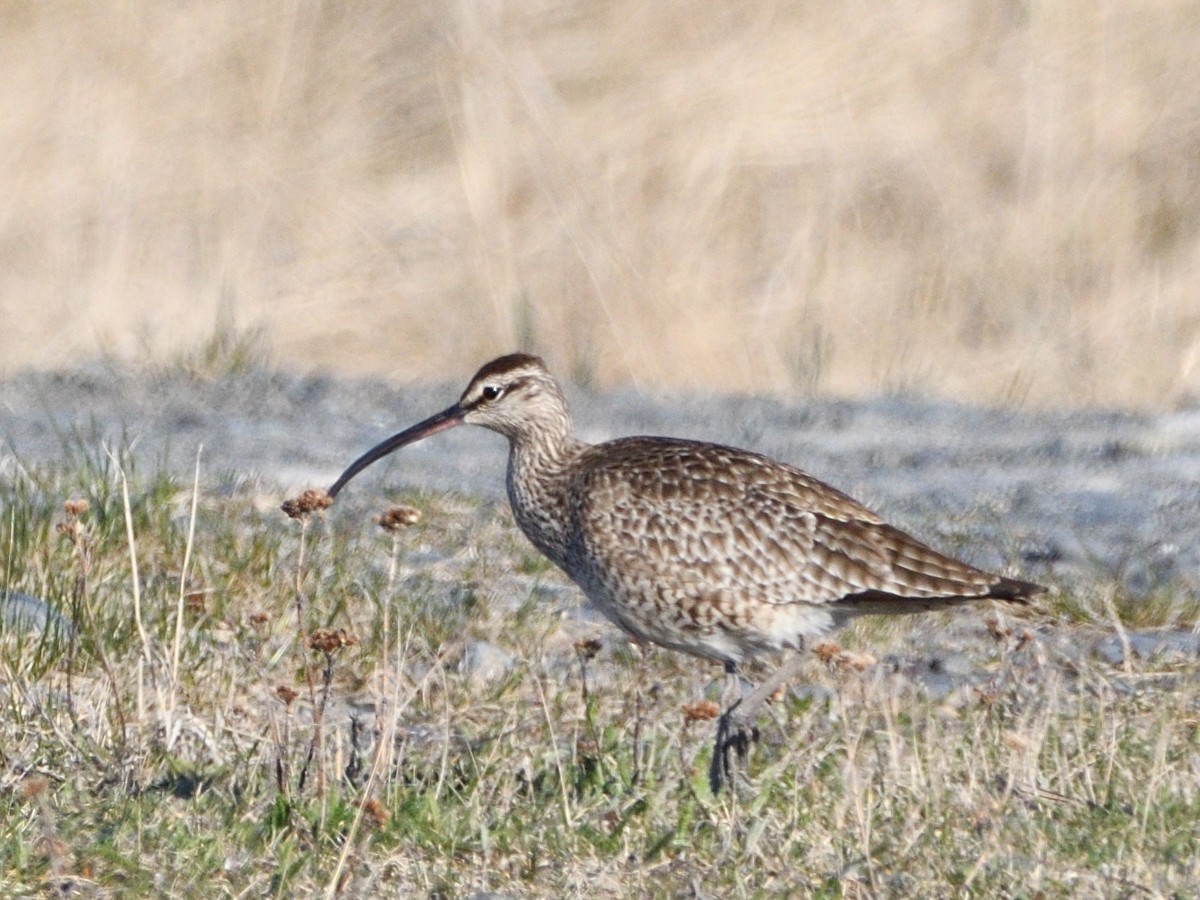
pixel 717 553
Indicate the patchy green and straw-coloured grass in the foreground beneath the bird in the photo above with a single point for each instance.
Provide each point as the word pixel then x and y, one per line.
pixel 153 771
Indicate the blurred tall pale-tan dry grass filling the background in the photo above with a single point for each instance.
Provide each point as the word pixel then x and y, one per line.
pixel 995 202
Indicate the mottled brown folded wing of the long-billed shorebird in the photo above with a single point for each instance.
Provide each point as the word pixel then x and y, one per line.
pixel 676 520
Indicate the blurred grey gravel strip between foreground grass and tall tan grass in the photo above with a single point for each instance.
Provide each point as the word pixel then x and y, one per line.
pixel 1061 497
